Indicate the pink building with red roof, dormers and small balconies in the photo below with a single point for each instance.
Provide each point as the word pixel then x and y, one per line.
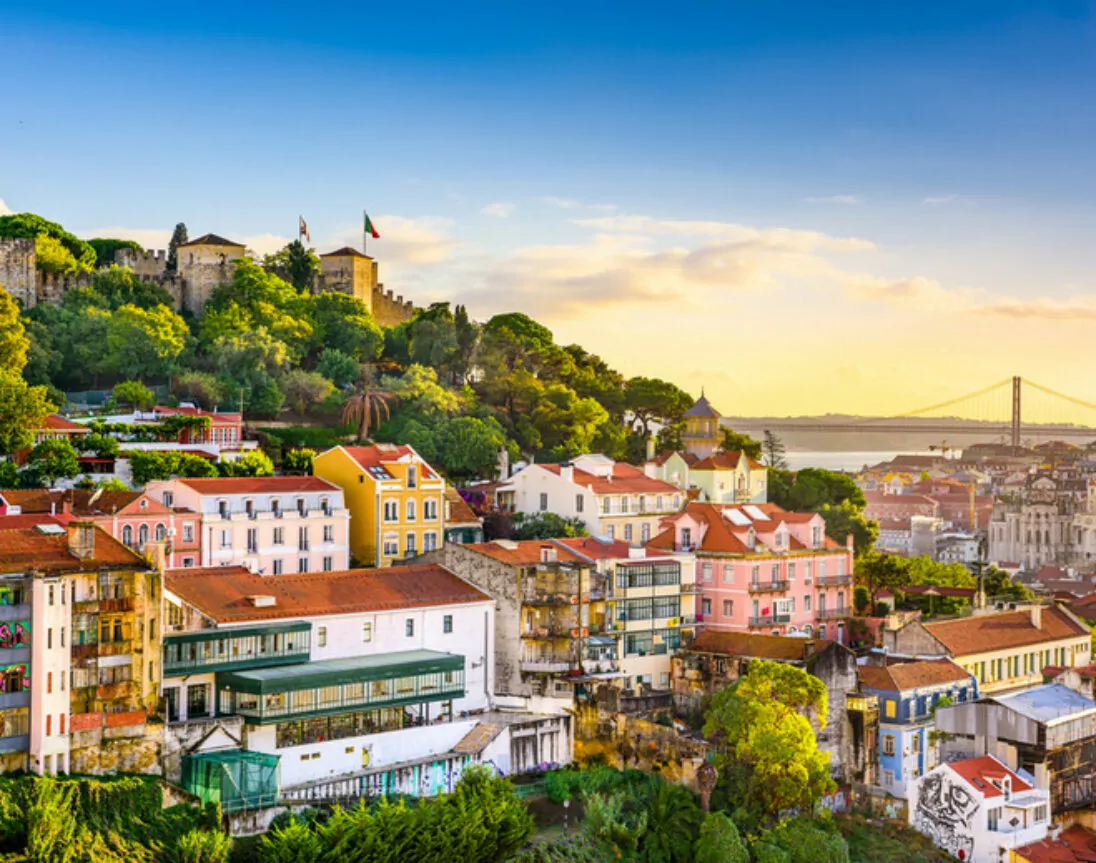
pixel 762 570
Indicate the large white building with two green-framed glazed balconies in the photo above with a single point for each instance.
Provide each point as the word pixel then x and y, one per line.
pixel 337 674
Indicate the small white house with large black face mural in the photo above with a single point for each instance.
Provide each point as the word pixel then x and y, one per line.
pixel 978 810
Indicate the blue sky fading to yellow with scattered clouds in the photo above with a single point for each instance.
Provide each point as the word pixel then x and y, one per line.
pixel 870 203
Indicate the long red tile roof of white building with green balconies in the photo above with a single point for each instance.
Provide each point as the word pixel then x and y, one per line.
pixel 222 593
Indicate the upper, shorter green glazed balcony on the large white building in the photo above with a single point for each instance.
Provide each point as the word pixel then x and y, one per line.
pixel 236 650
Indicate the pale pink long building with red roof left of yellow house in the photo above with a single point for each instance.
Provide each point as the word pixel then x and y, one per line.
pixel 271 526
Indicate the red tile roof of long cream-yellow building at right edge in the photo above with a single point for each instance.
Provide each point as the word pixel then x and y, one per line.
pixel 1002 632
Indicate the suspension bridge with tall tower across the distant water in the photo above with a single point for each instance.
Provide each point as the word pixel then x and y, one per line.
pixel 1009 410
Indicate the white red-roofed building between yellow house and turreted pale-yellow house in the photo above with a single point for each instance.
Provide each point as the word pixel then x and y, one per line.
pixel 611 498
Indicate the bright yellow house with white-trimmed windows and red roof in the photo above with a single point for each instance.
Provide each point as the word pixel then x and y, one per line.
pixel 394 497
